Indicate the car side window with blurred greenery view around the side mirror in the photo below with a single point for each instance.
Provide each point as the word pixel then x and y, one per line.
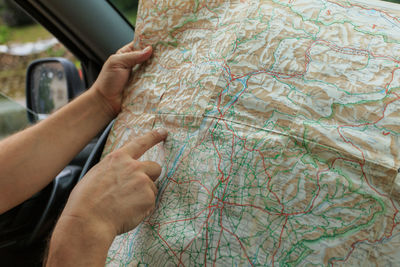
pixel 21 41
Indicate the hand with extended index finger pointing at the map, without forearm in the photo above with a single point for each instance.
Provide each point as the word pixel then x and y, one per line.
pixel 119 192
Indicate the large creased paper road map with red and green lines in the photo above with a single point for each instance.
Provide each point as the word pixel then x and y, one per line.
pixel 284 121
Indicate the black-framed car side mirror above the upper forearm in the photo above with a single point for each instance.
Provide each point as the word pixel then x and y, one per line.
pixel 50 84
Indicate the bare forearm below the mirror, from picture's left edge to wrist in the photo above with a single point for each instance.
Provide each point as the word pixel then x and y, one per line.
pixel 32 158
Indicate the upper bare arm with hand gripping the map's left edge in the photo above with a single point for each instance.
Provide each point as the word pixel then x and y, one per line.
pixel 29 160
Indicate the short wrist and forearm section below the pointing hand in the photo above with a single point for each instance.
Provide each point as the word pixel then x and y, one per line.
pixel 75 242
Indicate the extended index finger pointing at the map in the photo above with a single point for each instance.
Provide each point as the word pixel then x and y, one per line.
pixel 140 145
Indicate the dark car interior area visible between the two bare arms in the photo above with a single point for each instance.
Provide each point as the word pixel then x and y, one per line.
pixel 24 230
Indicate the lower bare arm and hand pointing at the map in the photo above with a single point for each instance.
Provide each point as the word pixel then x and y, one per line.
pixel 114 197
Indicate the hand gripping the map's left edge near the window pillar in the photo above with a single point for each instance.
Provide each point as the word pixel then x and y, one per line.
pixel 116 73
